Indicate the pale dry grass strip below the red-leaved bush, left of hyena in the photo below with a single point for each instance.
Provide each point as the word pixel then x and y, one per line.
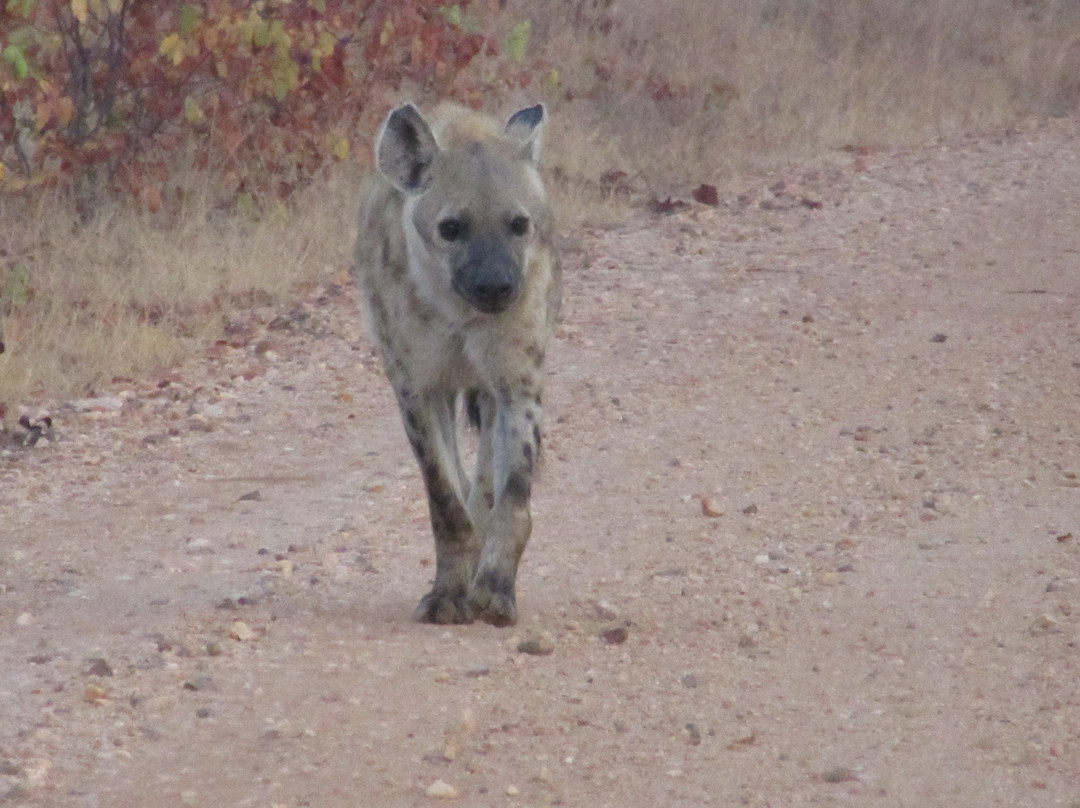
pixel 128 295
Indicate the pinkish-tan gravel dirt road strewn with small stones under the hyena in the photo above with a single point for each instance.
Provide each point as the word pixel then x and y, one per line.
pixel 808 532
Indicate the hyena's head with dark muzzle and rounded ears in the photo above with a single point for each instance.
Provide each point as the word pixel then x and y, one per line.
pixel 474 197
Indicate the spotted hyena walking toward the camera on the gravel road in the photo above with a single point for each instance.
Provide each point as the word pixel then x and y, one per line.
pixel 463 287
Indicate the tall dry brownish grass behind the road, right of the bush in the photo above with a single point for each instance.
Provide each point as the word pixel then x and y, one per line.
pixel 687 91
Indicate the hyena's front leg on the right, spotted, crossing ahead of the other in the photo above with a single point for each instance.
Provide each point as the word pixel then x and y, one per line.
pixel 516 445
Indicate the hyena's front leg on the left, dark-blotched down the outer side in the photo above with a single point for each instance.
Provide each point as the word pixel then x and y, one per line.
pixel 431 429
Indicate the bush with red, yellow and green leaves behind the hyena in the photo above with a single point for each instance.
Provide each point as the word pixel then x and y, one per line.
pixel 120 97
